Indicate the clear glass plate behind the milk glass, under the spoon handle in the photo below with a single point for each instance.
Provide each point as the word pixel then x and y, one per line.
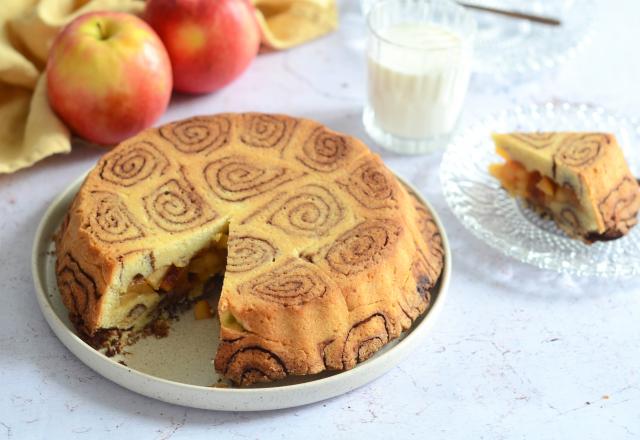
pixel 506 47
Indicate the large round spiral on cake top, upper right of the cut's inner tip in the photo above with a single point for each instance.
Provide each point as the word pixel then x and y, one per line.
pixel 310 211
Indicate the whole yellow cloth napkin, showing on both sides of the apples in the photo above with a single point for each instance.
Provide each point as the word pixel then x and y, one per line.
pixel 30 130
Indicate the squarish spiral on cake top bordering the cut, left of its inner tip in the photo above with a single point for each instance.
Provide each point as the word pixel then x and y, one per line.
pixel 175 206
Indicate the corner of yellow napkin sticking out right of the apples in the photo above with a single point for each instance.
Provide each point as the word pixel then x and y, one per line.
pixel 287 23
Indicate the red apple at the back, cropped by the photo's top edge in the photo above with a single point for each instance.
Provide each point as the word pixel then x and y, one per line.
pixel 210 42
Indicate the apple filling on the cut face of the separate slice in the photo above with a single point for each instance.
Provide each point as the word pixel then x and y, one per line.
pixel 539 190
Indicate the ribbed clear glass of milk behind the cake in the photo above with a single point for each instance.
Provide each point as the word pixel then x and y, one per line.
pixel 419 62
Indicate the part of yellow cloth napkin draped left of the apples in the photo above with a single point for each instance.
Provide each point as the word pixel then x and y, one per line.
pixel 29 129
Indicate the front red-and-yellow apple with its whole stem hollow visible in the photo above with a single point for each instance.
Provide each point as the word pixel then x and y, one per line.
pixel 108 76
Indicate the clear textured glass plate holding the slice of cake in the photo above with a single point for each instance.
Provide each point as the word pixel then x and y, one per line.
pixel 483 207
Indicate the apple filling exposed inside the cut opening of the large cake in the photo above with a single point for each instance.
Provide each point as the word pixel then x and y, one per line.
pixel 172 285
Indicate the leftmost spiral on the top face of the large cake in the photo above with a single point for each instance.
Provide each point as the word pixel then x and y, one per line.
pixel 111 221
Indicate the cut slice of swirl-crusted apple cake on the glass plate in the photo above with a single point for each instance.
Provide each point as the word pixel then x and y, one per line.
pixel 580 180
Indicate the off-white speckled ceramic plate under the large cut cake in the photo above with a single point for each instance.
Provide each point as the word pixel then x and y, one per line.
pixel 177 369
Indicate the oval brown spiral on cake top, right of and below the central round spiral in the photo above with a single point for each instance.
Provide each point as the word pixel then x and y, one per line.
pixel 363 246
